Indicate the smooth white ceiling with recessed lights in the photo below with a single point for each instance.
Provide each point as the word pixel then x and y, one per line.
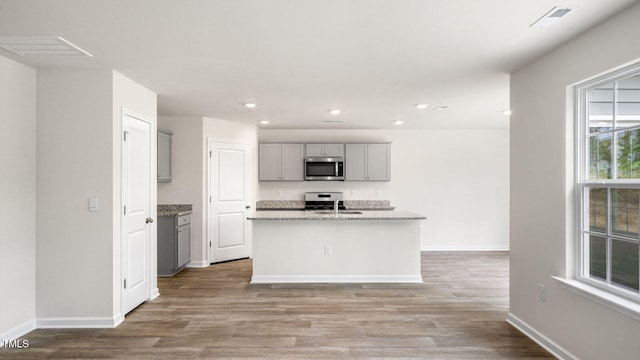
pixel 373 59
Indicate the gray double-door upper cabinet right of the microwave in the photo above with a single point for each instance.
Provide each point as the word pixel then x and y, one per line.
pixel 368 162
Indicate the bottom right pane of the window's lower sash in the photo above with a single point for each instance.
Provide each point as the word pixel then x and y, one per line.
pixel 624 264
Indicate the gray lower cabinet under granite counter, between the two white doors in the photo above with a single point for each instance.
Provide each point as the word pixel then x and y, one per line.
pixel 174 243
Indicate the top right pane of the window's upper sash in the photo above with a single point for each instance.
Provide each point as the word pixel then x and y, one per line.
pixel 628 102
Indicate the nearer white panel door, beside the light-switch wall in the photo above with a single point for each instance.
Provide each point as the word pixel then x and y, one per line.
pixel 136 204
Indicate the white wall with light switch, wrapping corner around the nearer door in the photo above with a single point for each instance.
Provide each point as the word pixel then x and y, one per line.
pixel 78 157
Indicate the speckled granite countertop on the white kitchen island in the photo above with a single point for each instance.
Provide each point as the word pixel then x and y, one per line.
pixel 329 215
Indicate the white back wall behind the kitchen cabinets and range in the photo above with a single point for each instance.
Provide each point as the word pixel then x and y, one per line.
pixel 458 179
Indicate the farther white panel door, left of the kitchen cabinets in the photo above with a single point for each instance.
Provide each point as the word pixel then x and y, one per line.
pixel 230 197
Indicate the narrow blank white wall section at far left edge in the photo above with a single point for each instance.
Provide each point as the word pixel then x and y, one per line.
pixel 17 198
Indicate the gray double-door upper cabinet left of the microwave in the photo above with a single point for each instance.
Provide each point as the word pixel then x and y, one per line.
pixel 281 162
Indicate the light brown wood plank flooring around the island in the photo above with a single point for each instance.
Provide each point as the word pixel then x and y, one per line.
pixel 457 313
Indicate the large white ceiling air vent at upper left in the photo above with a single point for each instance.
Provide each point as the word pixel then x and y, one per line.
pixel 41 46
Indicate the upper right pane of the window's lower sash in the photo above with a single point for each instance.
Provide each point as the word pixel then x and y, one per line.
pixel 625 209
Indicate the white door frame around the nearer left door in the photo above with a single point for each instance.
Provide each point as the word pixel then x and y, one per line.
pixel 150 261
